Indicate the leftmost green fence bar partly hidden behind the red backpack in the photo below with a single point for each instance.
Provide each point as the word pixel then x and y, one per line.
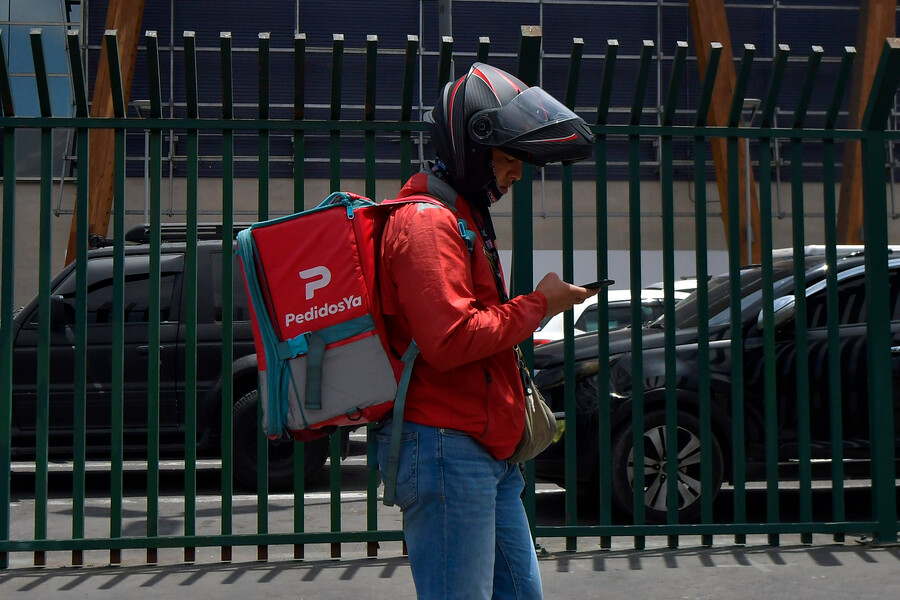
pixel 262 442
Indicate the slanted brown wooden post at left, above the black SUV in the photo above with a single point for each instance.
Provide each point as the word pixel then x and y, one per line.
pixel 125 17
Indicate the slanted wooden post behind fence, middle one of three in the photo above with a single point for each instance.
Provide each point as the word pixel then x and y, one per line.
pixel 710 25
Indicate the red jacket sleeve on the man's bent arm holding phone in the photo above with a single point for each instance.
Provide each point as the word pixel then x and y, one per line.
pixel 430 267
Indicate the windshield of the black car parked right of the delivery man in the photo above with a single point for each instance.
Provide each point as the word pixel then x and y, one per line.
pixel 687 311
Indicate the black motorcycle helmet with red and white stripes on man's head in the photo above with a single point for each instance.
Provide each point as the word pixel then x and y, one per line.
pixel 488 108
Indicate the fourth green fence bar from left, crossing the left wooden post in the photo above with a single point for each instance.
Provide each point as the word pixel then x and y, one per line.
pixel 118 316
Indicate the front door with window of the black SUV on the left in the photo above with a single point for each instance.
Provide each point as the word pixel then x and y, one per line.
pixel 99 349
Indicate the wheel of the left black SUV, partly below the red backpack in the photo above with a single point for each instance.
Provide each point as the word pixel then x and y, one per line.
pixel 281 452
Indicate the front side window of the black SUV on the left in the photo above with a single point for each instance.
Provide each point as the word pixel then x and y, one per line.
pixel 136 292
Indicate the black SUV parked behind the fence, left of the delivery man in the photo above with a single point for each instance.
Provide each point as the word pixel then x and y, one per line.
pixel 136 350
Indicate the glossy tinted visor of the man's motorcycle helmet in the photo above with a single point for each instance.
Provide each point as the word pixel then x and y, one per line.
pixel 528 112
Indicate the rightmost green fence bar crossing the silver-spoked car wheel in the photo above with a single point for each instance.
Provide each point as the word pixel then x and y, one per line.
pixel 702 268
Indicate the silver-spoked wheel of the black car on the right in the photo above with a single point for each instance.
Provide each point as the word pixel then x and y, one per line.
pixel 655 485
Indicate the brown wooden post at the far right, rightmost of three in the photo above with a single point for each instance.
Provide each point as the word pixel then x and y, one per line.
pixel 876 22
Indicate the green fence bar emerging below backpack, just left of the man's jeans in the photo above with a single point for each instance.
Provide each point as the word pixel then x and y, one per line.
pixel 371 446
